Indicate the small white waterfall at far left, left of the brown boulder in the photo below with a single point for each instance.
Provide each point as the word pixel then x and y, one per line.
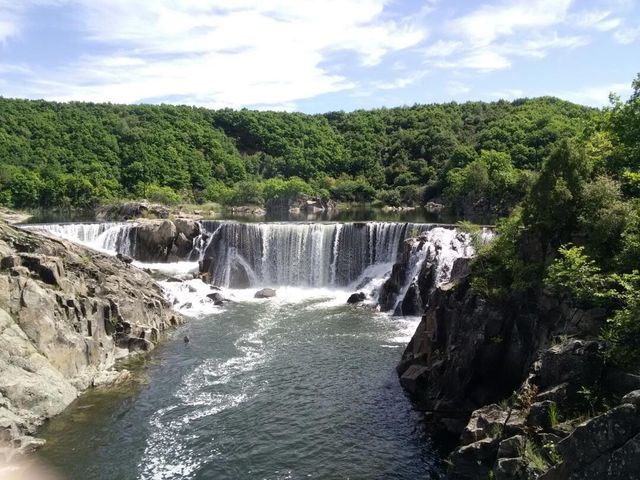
pixel 109 238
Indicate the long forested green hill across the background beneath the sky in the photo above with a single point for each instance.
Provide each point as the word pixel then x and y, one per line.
pixel 81 154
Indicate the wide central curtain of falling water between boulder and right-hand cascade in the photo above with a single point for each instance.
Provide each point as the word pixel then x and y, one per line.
pixel 314 254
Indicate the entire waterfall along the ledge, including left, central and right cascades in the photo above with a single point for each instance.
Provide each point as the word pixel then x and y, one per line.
pixel 391 262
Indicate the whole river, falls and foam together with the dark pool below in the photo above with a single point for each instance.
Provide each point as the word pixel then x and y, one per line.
pixel 297 386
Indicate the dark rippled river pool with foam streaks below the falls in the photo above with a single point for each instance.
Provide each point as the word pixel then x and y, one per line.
pixel 301 386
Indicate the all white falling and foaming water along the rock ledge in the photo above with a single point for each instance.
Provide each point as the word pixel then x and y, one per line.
pixel 298 259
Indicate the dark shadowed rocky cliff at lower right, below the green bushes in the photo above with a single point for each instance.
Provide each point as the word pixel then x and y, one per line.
pixel 522 388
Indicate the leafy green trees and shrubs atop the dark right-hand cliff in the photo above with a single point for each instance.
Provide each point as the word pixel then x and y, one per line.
pixel 578 232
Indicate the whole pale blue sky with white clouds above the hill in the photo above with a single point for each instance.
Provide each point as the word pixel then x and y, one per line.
pixel 317 55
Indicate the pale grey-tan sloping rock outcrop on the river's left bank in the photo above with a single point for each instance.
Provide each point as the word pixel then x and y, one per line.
pixel 66 314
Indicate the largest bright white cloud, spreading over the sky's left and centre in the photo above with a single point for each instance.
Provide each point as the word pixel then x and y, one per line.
pixel 215 53
